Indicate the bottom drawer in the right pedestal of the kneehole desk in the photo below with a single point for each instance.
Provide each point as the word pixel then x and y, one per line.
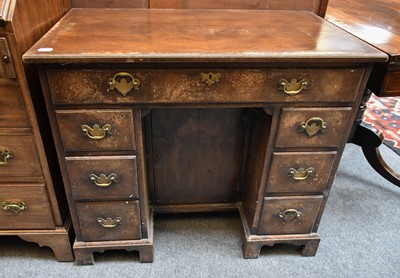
pixel 289 215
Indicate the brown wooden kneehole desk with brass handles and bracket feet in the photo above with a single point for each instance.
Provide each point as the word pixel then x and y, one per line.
pixel 218 110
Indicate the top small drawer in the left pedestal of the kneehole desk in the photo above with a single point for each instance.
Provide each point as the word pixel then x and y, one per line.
pixel 96 130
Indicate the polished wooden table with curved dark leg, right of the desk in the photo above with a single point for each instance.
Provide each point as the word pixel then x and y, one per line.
pixel 376 22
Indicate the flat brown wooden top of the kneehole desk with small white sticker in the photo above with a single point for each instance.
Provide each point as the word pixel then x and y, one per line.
pixel 140 36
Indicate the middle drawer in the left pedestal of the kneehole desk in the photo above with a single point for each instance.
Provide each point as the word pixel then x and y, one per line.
pixel 103 178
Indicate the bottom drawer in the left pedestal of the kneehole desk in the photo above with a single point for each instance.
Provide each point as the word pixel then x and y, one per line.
pixel 109 220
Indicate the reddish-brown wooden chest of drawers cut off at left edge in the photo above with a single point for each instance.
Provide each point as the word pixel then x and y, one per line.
pixel 33 203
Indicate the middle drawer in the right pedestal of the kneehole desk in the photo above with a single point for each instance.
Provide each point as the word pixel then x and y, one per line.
pixel 298 172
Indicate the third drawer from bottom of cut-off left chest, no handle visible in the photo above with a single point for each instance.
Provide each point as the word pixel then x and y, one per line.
pixel 12 108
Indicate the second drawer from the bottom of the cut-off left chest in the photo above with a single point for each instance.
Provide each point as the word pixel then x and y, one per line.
pixel 18 156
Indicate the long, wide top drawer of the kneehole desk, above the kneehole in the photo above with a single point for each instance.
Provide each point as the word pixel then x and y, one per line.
pixel 93 86
